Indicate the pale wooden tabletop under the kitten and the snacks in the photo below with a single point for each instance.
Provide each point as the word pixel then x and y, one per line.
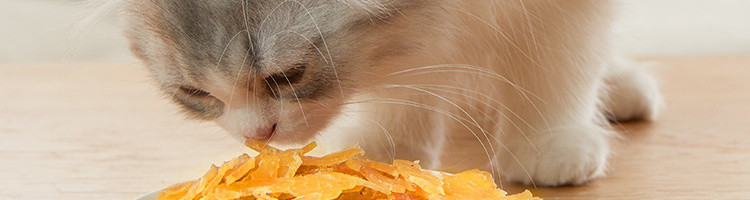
pixel 101 131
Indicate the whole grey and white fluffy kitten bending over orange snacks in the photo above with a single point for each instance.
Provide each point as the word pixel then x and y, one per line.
pixel 518 87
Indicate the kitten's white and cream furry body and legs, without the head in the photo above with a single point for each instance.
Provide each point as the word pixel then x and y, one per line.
pixel 523 99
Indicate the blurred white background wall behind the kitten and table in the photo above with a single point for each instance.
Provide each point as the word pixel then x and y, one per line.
pixel 45 30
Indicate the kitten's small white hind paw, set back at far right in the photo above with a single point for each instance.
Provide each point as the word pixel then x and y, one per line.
pixel 632 93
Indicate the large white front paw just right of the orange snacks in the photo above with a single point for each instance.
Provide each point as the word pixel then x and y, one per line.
pixel 568 157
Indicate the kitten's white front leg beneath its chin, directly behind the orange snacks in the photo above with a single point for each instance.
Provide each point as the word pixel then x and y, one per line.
pixel 385 130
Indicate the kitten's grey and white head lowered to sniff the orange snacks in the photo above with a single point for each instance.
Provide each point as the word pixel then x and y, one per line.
pixel 270 68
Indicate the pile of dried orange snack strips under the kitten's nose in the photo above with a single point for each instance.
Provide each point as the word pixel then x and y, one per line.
pixel 277 174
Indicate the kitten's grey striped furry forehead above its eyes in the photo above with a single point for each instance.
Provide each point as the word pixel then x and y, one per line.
pixel 187 40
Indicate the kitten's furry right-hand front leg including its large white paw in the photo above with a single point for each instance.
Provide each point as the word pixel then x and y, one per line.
pixel 555 134
